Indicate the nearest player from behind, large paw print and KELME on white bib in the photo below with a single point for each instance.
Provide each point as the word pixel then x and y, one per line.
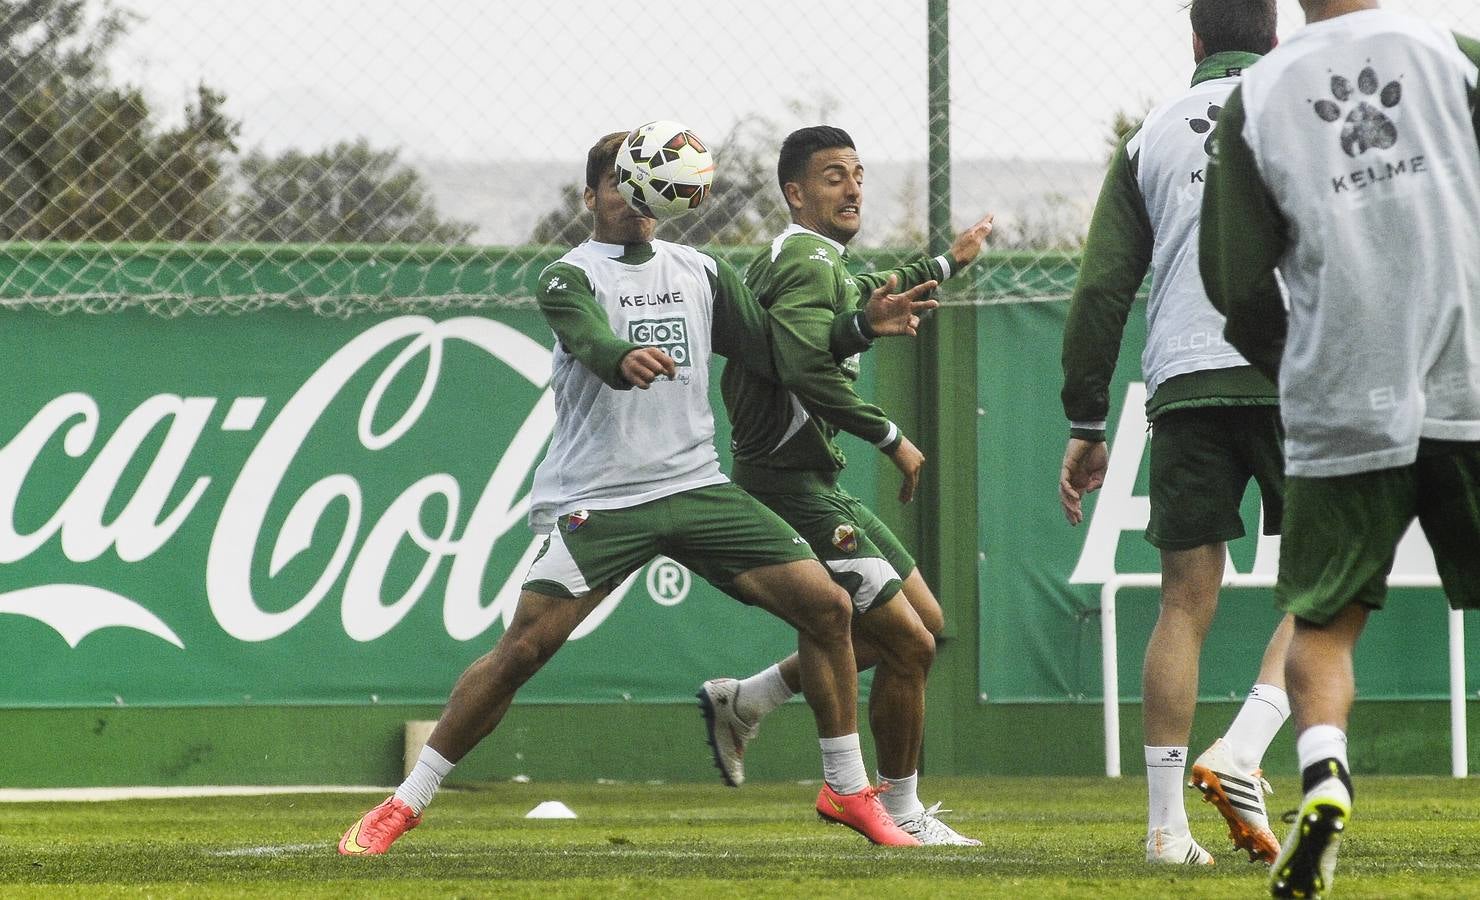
pixel 1349 161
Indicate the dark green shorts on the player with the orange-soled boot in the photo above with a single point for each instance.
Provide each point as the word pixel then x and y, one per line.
pixel 1202 461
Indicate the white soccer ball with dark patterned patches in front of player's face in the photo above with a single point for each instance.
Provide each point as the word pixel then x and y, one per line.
pixel 664 169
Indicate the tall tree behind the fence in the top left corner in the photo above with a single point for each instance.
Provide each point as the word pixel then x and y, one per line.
pixel 84 159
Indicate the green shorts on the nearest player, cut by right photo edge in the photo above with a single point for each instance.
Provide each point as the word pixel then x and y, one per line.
pixel 1342 534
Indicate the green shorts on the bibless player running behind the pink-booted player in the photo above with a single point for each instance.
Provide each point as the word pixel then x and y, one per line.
pixel 859 550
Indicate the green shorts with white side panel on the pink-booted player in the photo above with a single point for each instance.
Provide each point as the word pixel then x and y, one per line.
pixel 719 532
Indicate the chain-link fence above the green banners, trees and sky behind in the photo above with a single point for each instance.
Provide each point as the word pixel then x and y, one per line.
pixel 212 155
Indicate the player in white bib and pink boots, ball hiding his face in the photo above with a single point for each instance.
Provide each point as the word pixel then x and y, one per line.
pixel 633 474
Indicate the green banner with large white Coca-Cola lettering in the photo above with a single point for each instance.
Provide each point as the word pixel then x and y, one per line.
pixel 288 508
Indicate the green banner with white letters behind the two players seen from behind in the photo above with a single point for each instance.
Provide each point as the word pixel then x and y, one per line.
pixel 1041 580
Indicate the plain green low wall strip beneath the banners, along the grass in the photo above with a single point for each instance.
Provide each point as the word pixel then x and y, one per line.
pixel 351 745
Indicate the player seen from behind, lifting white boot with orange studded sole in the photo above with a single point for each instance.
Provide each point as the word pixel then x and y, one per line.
pixel 1214 427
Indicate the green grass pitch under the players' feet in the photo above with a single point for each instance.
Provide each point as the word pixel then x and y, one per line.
pixel 1410 837
